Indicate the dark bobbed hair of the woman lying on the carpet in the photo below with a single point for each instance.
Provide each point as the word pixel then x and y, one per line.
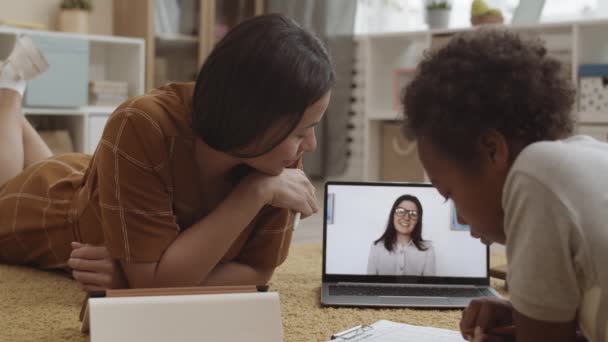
pixel 264 73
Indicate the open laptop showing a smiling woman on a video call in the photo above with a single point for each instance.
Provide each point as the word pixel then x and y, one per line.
pixel 442 266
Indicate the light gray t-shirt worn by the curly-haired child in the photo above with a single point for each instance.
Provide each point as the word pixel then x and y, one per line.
pixel 555 201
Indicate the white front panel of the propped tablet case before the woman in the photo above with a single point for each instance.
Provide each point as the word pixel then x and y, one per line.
pixel 251 317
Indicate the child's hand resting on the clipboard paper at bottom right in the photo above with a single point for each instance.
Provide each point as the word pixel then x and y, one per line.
pixel 484 314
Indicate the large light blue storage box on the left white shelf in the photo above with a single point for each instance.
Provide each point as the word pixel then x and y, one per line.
pixel 65 84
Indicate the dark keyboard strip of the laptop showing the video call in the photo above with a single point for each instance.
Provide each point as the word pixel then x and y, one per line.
pixel 370 290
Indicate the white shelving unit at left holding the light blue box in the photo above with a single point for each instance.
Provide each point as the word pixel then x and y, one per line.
pixel 110 58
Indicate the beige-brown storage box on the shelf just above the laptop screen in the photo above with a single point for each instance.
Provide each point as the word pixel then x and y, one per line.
pixel 399 156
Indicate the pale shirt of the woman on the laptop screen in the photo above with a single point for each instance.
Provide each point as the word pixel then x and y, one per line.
pixel 402 260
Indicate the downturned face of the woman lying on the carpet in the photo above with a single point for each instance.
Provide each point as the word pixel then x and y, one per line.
pixel 289 151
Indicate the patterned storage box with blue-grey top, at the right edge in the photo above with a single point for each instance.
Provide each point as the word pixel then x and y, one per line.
pixel 593 92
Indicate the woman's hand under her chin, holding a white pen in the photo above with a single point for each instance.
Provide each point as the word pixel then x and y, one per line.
pixel 290 190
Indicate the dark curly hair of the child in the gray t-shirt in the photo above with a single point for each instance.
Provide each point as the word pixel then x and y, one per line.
pixel 487 79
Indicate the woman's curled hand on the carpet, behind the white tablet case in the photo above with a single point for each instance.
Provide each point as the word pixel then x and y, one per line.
pixel 94 269
